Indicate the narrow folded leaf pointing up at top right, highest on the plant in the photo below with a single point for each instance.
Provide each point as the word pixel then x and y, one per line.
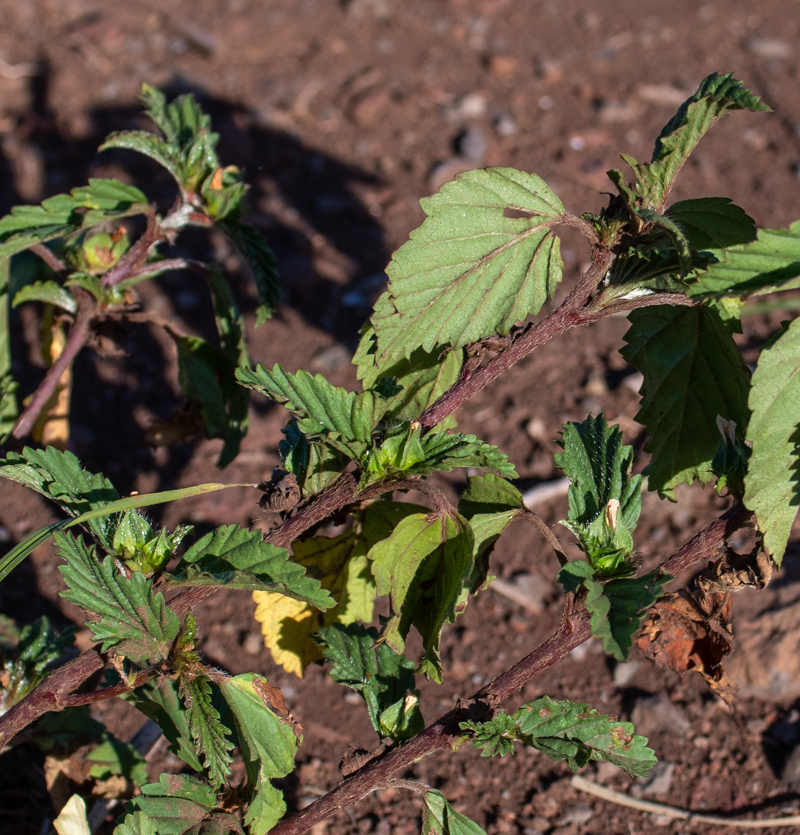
pixel 716 96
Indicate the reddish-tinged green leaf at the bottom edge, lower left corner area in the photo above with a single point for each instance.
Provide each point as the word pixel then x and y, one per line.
pixel 176 804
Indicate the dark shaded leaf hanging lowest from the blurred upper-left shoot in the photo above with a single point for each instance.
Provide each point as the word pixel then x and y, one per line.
pixel 206 376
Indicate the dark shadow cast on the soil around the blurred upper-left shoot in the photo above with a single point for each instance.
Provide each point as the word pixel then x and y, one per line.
pixel 330 254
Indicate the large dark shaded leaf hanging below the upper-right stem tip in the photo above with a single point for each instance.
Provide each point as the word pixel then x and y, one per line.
pixel 680 351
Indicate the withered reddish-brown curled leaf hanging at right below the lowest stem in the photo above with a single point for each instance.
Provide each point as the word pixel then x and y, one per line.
pixel 686 631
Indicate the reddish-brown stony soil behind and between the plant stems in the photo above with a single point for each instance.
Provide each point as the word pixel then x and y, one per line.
pixel 342 115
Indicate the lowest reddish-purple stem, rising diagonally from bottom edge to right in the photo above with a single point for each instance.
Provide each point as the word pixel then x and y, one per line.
pixel 444 734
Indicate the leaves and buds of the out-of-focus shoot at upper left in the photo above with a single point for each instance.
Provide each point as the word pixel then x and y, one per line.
pixel 91 267
